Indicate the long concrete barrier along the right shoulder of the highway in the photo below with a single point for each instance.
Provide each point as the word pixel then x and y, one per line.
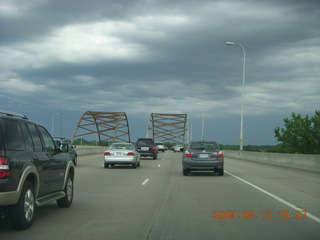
pixel 298 161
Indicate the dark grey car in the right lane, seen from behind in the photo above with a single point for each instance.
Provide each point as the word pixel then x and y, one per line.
pixel 203 156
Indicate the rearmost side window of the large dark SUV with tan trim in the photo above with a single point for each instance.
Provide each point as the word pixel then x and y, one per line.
pixel 12 135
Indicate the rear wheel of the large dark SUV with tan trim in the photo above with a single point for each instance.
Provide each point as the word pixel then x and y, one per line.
pixel 21 214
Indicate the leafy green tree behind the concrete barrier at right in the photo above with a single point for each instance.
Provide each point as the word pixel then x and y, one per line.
pixel 300 135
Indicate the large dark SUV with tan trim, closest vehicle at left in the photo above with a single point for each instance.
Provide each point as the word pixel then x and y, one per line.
pixel 33 170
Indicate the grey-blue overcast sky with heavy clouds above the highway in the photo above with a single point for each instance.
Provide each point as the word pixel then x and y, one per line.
pixel 162 56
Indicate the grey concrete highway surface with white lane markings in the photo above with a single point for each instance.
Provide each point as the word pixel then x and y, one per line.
pixel 155 201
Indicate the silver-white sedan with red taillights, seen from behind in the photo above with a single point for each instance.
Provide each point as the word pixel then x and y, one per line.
pixel 121 153
